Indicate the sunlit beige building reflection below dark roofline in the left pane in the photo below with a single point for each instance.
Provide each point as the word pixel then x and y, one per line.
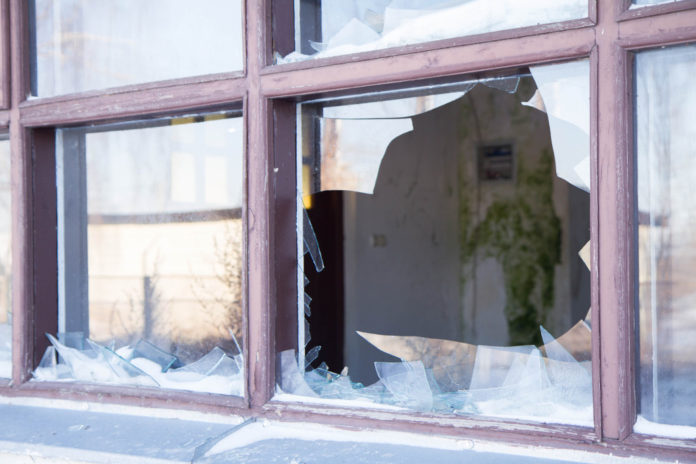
pixel 165 282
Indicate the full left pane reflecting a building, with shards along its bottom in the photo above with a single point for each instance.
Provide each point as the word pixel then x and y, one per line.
pixel 150 238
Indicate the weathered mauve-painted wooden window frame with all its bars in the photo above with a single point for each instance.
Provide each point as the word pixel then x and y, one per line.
pixel 609 37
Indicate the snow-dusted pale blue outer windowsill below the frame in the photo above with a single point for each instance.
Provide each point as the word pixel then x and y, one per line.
pixel 35 430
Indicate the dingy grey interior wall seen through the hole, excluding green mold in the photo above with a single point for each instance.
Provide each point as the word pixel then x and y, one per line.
pixel 404 269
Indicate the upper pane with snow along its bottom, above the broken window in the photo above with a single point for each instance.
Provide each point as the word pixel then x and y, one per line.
pixel 326 28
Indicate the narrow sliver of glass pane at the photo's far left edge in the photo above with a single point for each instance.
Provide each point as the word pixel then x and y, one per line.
pixel 5 261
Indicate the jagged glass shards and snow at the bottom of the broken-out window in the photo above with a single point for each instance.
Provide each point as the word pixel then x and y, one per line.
pixel 444 376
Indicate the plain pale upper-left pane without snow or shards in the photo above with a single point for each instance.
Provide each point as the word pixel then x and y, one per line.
pixel 78 45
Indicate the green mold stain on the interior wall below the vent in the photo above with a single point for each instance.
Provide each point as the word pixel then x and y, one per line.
pixel 523 233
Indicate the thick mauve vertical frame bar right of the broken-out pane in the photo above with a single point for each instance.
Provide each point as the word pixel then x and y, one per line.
pixel 615 267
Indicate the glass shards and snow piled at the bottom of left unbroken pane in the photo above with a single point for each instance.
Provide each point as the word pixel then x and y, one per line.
pixel 143 364
